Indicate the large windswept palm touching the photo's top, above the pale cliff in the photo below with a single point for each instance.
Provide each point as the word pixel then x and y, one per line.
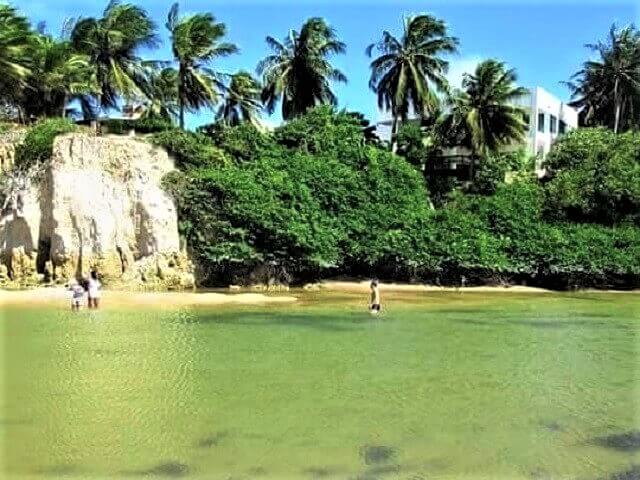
pixel 112 43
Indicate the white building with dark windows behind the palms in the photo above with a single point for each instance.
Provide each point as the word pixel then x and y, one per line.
pixel 547 117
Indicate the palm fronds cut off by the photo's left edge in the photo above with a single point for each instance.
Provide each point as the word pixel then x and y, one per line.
pixel 15 35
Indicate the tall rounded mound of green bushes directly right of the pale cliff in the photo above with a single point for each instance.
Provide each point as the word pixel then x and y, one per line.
pixel 303 212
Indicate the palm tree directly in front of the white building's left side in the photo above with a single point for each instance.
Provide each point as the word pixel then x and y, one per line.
pixel 483 113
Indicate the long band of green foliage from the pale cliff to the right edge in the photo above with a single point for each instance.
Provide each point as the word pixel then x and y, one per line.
pixel 313 198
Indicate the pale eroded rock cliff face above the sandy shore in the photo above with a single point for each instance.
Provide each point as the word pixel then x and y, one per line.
pixel 97 204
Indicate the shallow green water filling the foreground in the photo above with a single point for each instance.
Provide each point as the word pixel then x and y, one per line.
pixel 440 386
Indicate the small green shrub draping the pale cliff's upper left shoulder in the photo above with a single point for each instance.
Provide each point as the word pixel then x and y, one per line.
pixel 38 142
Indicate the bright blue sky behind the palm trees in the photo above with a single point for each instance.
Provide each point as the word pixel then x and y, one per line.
pixel 544 40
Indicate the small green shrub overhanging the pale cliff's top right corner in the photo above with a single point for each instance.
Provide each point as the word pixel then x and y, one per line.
pixel 190 150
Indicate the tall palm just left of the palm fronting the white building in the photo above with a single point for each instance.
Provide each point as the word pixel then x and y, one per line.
pixel 409 70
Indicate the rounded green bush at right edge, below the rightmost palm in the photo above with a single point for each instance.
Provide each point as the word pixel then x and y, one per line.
pixel 595 177
